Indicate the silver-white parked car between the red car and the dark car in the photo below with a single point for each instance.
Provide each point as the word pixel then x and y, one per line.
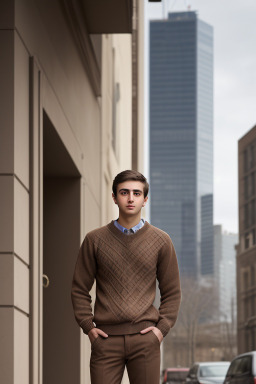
pixel 208 373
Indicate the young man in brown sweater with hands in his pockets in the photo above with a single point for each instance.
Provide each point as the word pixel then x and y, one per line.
pixel 126 257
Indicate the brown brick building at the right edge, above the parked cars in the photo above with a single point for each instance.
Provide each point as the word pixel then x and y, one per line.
pixel 246 249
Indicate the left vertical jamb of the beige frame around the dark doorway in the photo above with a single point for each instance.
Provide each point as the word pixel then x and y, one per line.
pixel 35 221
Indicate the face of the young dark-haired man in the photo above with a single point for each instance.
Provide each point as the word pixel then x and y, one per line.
pixel 130 197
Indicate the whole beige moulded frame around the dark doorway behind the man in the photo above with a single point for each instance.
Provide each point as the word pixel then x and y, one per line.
pixel 42 97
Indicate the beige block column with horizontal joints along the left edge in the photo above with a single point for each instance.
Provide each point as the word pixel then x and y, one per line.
pixel 14 202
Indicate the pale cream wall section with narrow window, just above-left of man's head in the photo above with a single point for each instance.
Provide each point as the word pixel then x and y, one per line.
pixel 119 66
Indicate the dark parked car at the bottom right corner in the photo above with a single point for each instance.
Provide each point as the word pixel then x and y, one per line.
pixel 242 369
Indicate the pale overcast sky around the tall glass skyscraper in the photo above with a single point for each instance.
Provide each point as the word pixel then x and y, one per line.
pixel 234 89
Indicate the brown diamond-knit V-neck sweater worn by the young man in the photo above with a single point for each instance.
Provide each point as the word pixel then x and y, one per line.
pixel 126 268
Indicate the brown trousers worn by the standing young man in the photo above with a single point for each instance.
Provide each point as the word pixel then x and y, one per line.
pixel 139 353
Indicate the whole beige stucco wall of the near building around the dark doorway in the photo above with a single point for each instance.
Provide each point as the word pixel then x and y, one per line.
pixel 61 87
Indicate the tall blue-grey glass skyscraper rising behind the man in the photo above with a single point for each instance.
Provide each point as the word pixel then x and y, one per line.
pixel 181 137
